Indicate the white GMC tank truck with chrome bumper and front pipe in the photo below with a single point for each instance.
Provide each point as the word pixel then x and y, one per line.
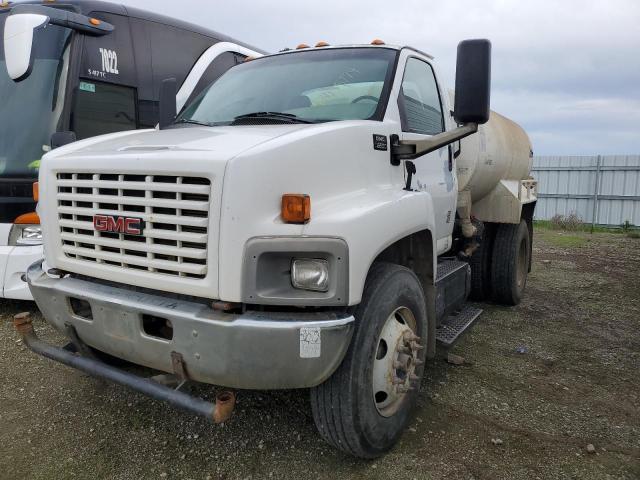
pixel 314 219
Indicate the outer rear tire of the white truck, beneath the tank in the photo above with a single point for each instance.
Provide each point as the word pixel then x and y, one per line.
pixel 510 264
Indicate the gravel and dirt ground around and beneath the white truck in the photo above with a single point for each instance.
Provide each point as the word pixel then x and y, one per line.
pixel 540 383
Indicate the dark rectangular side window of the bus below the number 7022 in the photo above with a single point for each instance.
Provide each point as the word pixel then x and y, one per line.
pixel 103 108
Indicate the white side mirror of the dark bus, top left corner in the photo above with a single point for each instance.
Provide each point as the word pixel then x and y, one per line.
pixel 18 43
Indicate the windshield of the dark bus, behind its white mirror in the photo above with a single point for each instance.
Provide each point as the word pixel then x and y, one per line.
pixel 30 110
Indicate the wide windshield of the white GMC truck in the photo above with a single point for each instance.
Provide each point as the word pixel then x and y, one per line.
pixel 312 86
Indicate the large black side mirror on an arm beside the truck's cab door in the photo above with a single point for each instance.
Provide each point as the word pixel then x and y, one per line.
pixel 473 82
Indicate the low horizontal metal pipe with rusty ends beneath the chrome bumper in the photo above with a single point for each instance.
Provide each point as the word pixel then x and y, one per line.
pixel 219 412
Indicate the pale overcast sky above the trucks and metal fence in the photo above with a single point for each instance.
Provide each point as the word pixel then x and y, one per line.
pixel 566 70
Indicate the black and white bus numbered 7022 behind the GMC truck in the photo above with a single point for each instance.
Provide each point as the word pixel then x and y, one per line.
pixel 75 70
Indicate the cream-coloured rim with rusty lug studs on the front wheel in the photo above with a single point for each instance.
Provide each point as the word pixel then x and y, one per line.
pixel 395 362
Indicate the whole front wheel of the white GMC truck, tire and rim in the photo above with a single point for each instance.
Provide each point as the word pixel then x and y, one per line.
pixel 364 407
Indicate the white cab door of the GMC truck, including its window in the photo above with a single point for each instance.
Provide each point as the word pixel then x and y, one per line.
pixel 421 112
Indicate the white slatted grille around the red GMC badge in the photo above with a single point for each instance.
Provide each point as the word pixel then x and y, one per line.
pixel 174 211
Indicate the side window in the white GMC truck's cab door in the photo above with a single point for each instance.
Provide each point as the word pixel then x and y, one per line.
pixel 419 100
